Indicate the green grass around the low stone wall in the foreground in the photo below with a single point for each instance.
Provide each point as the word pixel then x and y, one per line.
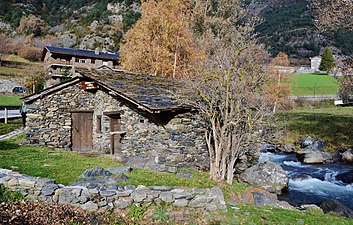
pixel 66 166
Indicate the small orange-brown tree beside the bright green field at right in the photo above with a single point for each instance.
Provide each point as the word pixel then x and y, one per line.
pixel 278 86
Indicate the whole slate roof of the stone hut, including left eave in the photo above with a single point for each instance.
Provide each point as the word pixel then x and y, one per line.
pixel 149 93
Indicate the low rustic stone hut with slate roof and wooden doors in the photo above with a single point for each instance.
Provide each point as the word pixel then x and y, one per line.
pixel 131 116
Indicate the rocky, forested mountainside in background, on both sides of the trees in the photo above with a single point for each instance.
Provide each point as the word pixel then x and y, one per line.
pixel 287 25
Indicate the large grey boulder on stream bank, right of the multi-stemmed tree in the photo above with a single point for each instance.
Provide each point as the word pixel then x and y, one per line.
pixel 268 175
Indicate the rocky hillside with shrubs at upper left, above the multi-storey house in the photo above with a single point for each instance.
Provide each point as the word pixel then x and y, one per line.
pixel 83 24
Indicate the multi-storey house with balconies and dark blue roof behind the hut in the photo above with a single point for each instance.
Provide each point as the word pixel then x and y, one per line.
pixel 63 62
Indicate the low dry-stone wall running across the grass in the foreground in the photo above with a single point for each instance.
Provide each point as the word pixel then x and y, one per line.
pixel 109 196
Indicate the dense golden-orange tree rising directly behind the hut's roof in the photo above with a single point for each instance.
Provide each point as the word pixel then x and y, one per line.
pixel 160 43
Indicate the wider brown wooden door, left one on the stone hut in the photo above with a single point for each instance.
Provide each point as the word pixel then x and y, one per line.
pixel 82 127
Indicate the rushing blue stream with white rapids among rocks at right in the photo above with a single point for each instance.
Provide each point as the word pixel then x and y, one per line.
pixel 312 184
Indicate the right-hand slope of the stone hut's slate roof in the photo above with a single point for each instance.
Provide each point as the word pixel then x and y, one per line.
pixel 152 93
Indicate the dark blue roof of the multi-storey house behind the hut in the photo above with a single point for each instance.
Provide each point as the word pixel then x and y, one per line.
pixel 109 55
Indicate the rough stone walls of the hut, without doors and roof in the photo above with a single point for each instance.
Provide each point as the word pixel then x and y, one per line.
pixel 163 142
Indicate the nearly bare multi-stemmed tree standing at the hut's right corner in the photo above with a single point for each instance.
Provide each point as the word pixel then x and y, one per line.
pixel 229 92
